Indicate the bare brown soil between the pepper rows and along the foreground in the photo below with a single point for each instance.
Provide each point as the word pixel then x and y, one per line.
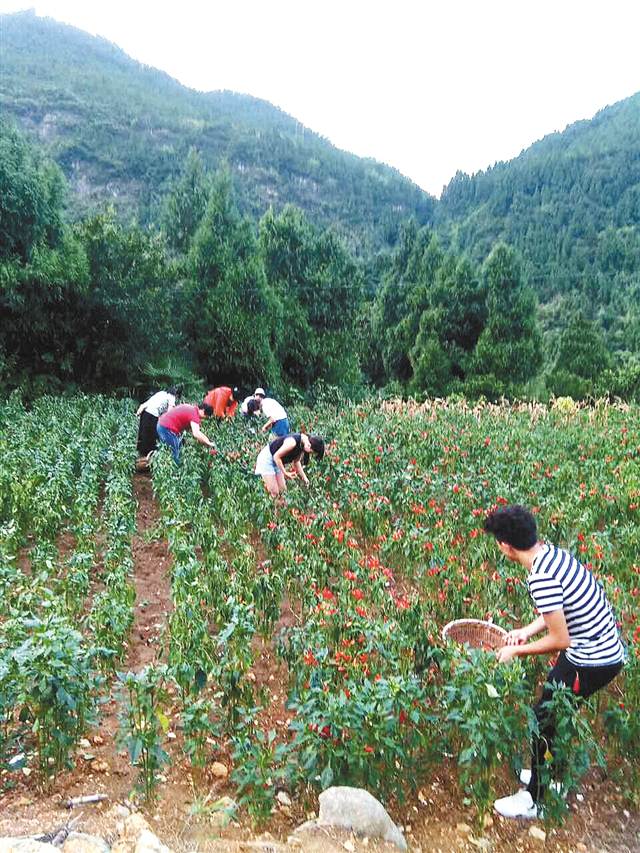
pixel 432 819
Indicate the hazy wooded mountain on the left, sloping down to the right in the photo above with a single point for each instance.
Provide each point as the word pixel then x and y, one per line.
pixel 121 131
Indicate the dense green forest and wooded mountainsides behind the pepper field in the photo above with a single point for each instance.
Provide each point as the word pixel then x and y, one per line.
pixel 149 233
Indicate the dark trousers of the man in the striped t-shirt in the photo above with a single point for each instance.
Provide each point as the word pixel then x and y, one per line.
pixel 590 679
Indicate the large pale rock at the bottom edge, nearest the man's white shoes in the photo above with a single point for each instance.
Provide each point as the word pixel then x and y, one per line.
pixel 357 810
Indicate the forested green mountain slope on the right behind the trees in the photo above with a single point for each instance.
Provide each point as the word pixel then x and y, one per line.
pixel 570 204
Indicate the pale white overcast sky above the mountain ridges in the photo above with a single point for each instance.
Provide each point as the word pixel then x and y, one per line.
pixel 427 87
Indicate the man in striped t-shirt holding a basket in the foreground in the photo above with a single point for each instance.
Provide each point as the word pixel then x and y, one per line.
pixel 578 623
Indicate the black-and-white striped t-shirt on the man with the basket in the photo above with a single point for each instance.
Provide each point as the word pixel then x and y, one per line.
pixel 558 580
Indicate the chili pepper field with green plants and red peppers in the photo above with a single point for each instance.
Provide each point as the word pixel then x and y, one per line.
pixel 177 637
